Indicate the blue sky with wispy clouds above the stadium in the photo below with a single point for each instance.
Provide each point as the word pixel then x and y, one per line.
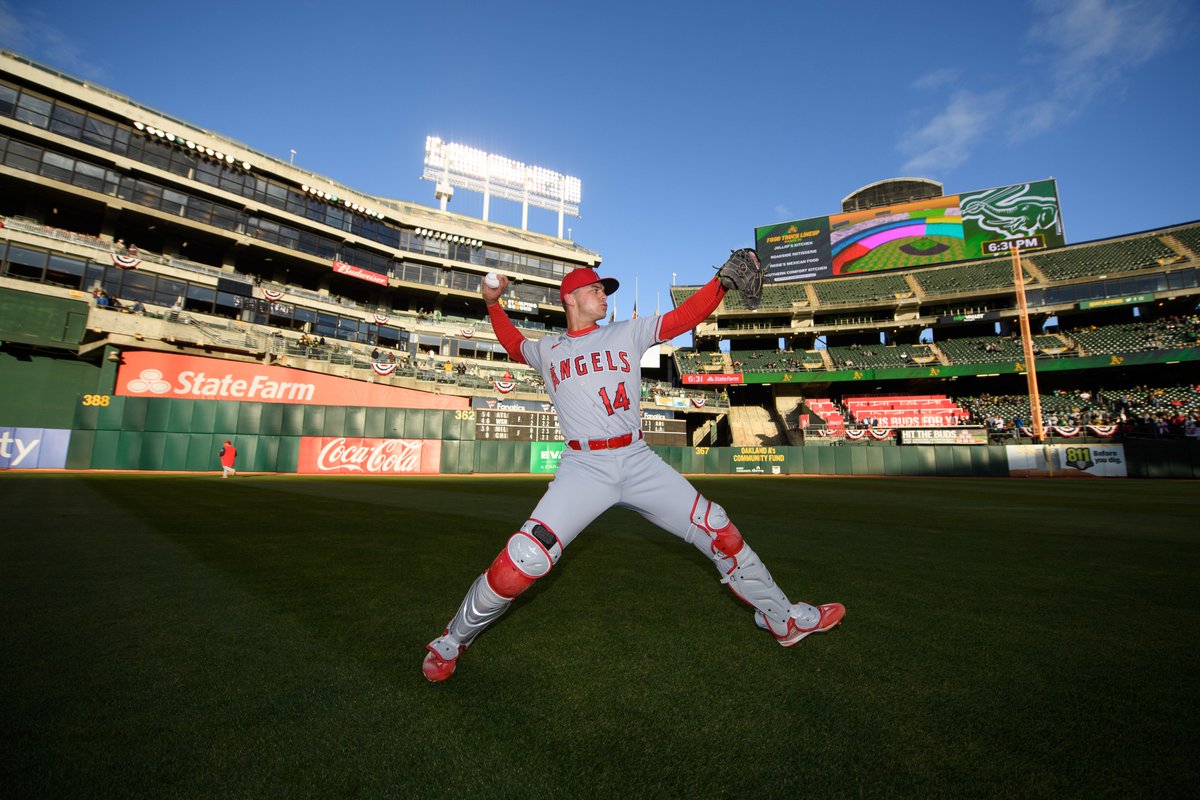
pixel 688 124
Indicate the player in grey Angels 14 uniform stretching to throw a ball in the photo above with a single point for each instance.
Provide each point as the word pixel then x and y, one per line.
pixel 593 377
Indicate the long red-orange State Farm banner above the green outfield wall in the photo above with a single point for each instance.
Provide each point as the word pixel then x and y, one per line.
pixel 145 374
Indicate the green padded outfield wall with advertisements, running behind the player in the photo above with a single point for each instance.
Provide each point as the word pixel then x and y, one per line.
pixel 53 417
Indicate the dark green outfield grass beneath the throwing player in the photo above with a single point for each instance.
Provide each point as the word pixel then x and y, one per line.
pixel 189 637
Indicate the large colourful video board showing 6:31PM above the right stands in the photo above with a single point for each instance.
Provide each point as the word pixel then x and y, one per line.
pixel 935 231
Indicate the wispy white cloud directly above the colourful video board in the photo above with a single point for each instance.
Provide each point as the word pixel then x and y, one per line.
pixel 946 141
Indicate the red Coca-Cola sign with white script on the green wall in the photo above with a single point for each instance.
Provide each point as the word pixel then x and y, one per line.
pixel 359 456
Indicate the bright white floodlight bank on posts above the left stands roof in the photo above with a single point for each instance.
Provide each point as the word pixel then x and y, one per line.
pixel 451 165
